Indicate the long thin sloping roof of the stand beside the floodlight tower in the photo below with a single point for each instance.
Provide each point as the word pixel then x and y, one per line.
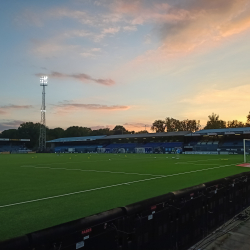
pixel 109 137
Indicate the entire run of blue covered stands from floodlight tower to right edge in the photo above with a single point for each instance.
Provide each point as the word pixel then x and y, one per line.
pixel 228 140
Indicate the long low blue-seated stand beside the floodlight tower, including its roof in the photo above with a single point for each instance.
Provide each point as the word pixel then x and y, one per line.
pixel 126 143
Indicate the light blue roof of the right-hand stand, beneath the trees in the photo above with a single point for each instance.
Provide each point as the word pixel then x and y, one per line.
pixel 221 131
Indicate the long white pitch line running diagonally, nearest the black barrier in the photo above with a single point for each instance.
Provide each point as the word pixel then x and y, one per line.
pixel 105 187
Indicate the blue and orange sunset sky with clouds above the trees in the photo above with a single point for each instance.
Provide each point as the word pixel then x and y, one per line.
pixel 124 62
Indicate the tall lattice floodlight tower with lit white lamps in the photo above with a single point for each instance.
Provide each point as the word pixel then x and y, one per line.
pixel 42 137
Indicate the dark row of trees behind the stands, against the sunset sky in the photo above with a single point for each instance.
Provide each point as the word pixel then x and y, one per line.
pixel 30 130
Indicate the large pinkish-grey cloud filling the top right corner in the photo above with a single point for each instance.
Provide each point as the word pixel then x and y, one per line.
pixel 188 25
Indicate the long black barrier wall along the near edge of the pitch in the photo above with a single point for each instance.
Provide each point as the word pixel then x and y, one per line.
pixel 176 220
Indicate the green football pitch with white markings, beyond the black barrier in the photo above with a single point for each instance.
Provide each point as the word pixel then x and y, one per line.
pixel 42 190
